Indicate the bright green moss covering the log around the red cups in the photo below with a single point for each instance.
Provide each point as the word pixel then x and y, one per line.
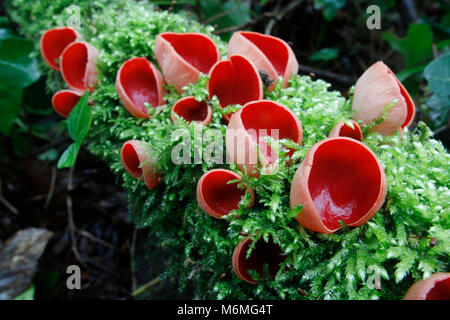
pixel 394 244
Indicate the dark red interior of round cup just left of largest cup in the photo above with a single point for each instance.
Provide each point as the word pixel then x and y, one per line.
pixel 219 195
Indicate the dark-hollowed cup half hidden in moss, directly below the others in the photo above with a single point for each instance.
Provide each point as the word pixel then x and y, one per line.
pixel 264 253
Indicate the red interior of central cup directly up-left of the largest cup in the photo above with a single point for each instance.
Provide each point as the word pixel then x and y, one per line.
pixel 261 118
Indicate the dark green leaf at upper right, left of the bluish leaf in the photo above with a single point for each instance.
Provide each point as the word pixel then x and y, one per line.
pixel 416 47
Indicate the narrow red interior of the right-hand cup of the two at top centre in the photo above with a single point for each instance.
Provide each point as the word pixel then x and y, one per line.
pixel 274 49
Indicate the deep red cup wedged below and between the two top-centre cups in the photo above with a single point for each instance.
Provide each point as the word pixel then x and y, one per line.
pixel 235 81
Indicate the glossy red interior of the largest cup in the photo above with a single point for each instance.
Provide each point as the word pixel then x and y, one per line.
pixel 344 182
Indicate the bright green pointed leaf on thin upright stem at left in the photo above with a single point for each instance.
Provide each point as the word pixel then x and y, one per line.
pixel 79 120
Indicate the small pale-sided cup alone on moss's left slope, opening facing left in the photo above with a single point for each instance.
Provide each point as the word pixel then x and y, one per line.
pixel 135 156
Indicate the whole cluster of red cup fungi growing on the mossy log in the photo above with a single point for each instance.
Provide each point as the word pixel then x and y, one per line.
pixel 340 178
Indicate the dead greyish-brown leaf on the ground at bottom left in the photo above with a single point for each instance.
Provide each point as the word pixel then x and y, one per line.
pixel 18 260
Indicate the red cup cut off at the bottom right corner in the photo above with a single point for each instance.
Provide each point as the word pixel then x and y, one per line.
pixel 436 287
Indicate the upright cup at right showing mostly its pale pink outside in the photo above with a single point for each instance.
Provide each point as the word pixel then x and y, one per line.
pixel 379 94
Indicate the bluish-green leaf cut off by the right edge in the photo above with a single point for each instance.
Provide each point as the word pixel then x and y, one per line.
pixel 437 74
